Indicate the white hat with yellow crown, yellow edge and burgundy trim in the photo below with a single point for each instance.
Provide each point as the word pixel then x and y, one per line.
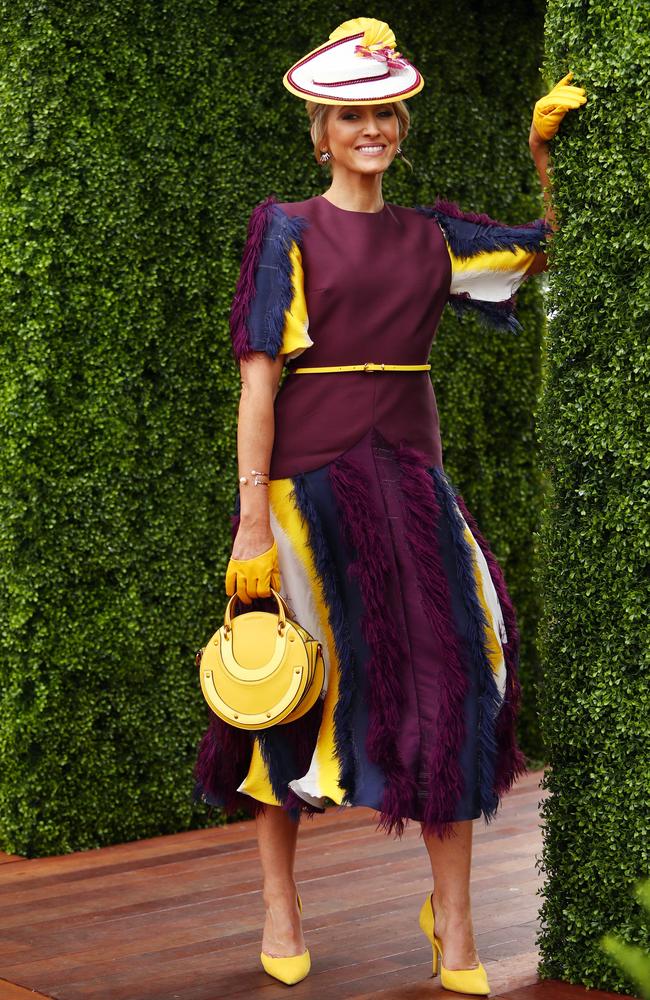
pixel 357 65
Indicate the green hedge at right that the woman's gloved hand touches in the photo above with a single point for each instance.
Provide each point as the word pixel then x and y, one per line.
pixel 595 705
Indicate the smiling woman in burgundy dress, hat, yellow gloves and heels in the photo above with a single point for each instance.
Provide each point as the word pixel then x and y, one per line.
pixel 345 507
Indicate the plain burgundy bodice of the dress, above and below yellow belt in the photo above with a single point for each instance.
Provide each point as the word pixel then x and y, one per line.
pixel 375 287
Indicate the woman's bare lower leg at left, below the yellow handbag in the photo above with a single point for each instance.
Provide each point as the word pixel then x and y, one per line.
pixel 277 834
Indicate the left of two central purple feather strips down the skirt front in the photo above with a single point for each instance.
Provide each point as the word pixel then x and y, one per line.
pixel 371 567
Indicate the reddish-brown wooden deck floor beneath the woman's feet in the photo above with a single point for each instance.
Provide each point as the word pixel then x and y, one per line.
pixel 180 917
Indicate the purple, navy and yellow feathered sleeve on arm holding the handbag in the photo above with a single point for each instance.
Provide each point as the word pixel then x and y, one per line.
pixel 269 311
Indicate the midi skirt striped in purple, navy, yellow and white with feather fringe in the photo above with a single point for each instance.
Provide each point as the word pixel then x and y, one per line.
pixel 383 563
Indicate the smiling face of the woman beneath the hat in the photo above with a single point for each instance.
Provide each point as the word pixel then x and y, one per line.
pixel 362 138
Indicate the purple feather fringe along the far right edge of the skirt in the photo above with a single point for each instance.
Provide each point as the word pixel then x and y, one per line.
pixel 510 761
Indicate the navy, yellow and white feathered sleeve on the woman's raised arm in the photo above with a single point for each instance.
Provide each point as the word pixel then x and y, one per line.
pixel 489 261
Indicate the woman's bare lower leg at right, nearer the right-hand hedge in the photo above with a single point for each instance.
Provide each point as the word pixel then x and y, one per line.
pixel 451 861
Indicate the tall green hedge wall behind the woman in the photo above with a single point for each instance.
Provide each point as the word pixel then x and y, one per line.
pixel 134 141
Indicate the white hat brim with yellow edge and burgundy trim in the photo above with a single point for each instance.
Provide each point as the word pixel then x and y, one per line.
pixel 399 85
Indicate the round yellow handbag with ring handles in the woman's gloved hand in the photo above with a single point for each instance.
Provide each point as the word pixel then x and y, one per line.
pixel 261 669
